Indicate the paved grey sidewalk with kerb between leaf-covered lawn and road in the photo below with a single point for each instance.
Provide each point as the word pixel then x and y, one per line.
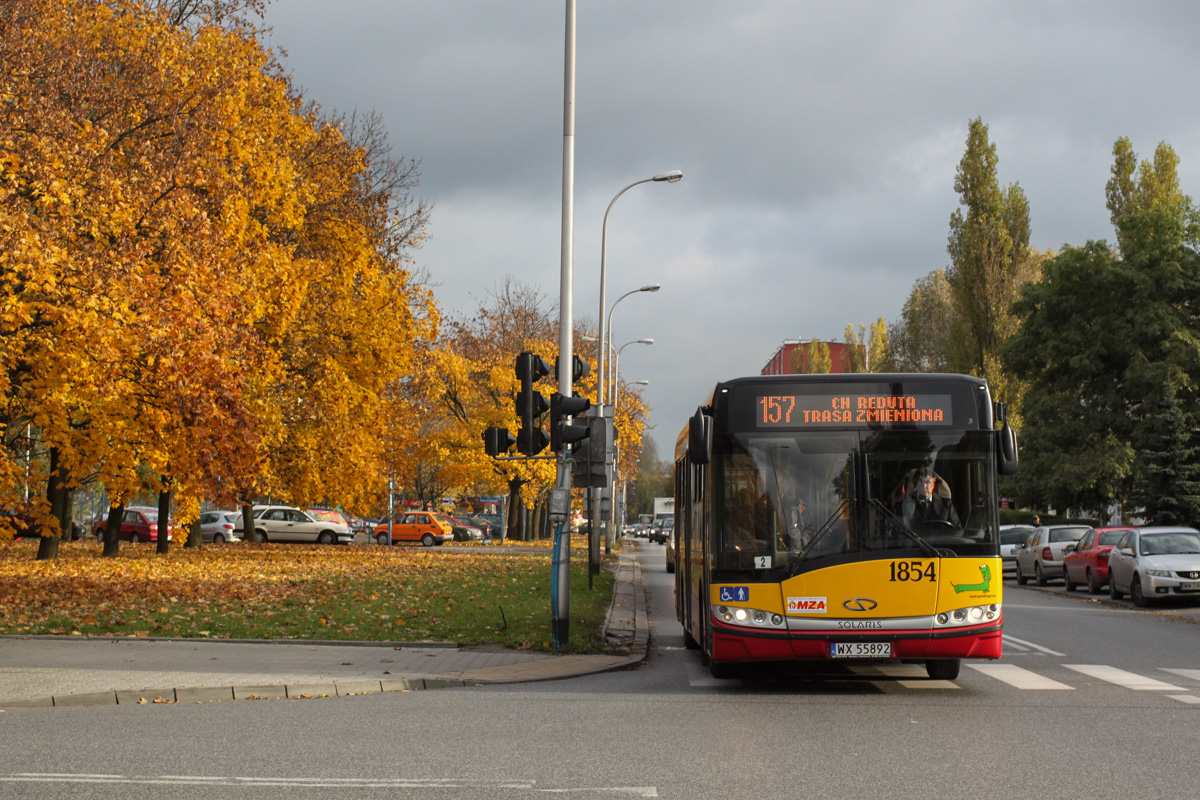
pixel 75 671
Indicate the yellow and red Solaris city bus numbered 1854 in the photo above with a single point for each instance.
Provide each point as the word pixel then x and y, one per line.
pixel 842 518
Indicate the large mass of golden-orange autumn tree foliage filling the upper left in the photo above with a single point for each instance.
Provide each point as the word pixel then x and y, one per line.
pixel 202 284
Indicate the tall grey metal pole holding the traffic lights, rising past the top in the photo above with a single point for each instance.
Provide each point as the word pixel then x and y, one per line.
pixel 561 570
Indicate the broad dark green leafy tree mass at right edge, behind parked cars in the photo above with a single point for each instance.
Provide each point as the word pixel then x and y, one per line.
pixel 1109 344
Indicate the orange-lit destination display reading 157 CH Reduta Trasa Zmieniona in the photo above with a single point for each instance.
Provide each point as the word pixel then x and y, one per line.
pixel 851 411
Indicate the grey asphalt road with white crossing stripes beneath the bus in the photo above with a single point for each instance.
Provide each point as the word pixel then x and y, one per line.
pixel 1091 700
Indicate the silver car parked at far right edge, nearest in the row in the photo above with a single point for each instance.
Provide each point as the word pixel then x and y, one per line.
pixel 1151 563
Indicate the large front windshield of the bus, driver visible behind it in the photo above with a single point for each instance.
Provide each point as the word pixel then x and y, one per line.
pixel 797 502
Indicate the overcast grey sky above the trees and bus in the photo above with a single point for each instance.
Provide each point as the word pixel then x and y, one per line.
pixel 819 143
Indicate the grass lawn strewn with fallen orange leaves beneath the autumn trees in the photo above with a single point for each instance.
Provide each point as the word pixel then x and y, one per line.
pixel 470 596
